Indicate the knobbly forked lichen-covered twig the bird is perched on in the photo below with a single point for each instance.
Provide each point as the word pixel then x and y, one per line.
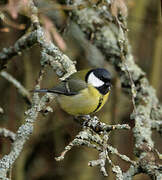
pixel 95 134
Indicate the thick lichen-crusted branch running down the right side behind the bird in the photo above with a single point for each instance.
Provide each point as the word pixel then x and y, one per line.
pixel 108 33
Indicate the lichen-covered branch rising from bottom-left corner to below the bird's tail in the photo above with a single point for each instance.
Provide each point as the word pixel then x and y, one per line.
pixel 22 135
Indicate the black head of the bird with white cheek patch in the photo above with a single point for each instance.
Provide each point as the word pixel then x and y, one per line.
pixel 100 78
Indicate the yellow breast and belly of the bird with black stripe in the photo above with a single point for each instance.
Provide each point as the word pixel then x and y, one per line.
pixel 86 102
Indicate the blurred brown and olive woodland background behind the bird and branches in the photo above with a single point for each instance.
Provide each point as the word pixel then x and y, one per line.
pixel 54 131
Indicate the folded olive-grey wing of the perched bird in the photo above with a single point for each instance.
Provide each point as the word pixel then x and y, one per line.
pixel 69 87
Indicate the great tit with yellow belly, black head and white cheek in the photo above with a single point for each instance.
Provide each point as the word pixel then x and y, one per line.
pixel 84 92
